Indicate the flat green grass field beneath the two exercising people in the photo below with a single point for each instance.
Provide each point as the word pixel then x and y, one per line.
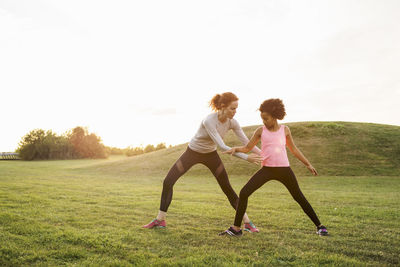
pixel 70 213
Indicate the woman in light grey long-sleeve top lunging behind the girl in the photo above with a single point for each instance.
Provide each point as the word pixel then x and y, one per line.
pixel 203 149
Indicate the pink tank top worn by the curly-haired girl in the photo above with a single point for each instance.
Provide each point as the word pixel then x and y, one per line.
pixel 273 148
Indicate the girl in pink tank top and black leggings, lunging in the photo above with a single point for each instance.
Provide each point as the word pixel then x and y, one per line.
pixel 275 165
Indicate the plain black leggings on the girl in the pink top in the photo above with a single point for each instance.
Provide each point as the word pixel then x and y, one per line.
pixel 284 175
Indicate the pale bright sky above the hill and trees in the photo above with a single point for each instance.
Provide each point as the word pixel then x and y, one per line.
pixel 143 72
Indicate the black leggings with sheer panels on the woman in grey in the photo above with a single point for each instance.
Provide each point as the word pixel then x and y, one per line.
pixel 184 163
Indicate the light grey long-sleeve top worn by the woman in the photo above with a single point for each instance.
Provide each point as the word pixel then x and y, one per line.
pixel 211 133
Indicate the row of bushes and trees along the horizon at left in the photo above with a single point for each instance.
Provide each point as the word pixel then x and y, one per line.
pixel 74 144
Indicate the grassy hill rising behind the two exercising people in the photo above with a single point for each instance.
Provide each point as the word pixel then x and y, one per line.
pixel 334 148
